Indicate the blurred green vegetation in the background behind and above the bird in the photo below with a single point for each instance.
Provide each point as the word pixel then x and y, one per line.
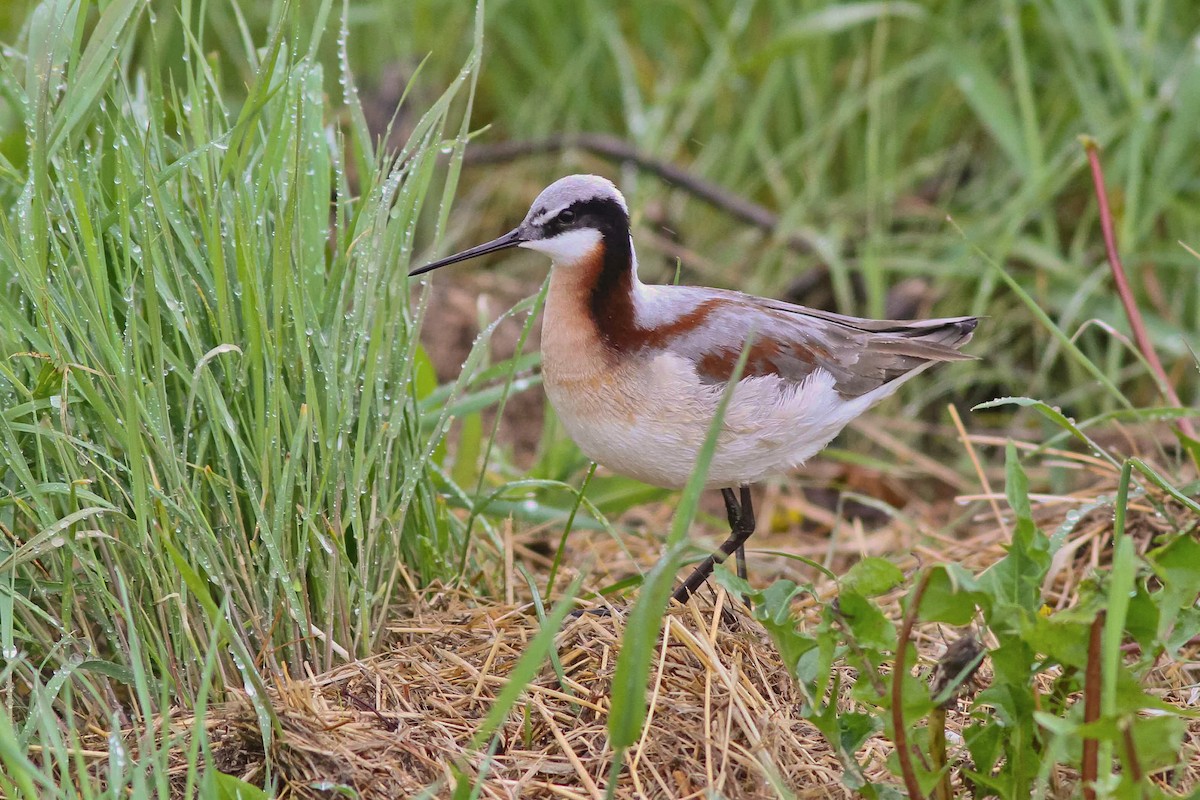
pixel 862 127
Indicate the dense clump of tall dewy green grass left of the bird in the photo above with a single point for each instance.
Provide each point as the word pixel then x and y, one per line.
pixel 213 466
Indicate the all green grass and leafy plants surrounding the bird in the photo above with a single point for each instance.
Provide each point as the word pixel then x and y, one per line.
pixel 226 462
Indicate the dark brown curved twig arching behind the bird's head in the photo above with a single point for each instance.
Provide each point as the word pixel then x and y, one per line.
pixel 616 149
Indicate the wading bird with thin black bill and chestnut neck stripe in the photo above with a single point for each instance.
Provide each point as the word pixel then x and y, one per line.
pixel 637 372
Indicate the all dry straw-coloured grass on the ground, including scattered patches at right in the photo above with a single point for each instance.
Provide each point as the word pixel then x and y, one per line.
pixel 725 714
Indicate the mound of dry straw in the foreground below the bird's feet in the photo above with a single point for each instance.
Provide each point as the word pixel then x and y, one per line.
pixel 724 714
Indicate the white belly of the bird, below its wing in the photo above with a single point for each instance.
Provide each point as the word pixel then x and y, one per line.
pixel 650 422
